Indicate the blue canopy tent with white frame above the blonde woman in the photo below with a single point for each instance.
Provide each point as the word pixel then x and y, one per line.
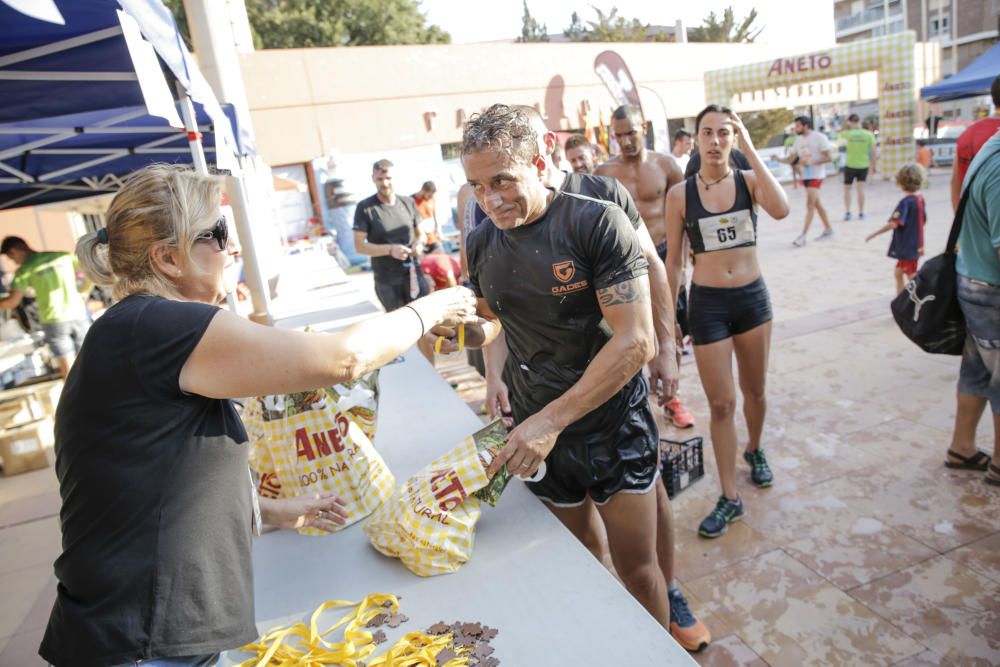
pixel 124 62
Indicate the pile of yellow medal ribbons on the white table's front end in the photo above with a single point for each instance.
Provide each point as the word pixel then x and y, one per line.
pixel 415 649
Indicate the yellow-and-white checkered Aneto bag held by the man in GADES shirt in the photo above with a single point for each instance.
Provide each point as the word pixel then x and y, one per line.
pixel 430 521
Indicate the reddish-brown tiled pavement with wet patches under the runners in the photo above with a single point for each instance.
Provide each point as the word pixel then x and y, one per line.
pixel 866 551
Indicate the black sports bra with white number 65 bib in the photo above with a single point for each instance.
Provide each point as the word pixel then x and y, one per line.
pixel 708 232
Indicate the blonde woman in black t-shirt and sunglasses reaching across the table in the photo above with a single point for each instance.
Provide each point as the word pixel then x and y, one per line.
pixel 158 503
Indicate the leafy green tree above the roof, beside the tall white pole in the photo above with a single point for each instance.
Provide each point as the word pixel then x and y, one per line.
pixel 291 24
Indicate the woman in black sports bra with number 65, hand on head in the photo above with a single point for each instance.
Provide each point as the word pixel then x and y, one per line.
pixel 729 307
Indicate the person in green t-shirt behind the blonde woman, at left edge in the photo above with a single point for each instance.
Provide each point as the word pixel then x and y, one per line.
pixel 52 277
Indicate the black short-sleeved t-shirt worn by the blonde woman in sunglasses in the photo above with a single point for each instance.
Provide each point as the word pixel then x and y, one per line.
pixel 156 498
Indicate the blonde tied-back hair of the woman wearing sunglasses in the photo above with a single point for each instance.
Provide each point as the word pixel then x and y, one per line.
pixel 161 203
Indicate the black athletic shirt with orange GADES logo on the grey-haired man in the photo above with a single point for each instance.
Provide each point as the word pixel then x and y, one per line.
pixel 541 280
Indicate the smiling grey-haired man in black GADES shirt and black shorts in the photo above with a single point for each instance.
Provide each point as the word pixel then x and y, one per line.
pixel 565 277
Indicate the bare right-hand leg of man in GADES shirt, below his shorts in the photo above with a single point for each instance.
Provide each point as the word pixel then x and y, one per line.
pixel 630 519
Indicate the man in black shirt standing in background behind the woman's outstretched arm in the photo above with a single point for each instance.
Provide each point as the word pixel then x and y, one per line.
pixel 387 228
